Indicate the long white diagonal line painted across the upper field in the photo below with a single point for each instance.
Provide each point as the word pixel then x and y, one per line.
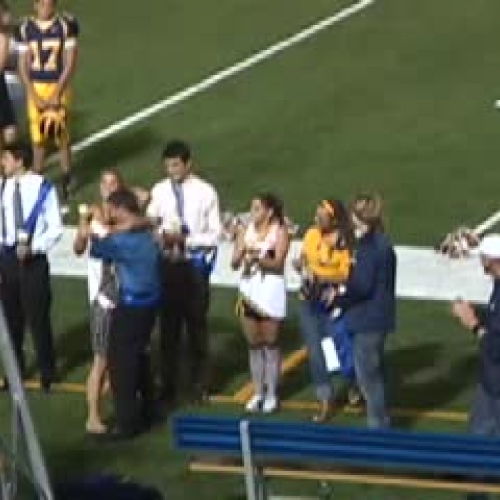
pixel 220 76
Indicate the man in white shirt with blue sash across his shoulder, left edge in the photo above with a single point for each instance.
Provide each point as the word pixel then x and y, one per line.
pixel 30 225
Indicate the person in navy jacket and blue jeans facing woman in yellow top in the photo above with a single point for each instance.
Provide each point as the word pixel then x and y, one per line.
pixel 370 304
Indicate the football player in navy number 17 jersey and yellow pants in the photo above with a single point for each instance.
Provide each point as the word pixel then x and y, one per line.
pixel 48 50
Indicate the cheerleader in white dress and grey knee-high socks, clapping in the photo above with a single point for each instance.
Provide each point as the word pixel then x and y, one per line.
pixel 260 251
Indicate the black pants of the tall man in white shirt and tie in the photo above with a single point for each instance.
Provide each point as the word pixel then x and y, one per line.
pixel 185 308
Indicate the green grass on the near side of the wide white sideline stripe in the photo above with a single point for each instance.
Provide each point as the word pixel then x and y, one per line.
pixel 431 365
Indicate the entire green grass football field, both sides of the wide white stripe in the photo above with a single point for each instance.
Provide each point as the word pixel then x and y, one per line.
pixel 398 98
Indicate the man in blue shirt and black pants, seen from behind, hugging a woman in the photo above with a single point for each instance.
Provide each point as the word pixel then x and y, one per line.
pixel 136 258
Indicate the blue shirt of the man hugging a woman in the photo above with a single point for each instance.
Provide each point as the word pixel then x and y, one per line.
pixel 137 260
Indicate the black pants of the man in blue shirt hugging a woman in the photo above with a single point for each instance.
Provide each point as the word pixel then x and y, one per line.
pixel 129 359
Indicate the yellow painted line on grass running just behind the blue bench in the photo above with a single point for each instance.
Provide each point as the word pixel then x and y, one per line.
pixel 445 416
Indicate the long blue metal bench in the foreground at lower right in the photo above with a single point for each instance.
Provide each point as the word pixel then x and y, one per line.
pixel 260 449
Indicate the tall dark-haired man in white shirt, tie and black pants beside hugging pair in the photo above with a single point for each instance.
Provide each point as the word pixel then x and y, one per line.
pixel 187 210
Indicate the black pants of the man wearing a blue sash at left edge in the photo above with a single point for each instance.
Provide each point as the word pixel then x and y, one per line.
pixel 26 297
